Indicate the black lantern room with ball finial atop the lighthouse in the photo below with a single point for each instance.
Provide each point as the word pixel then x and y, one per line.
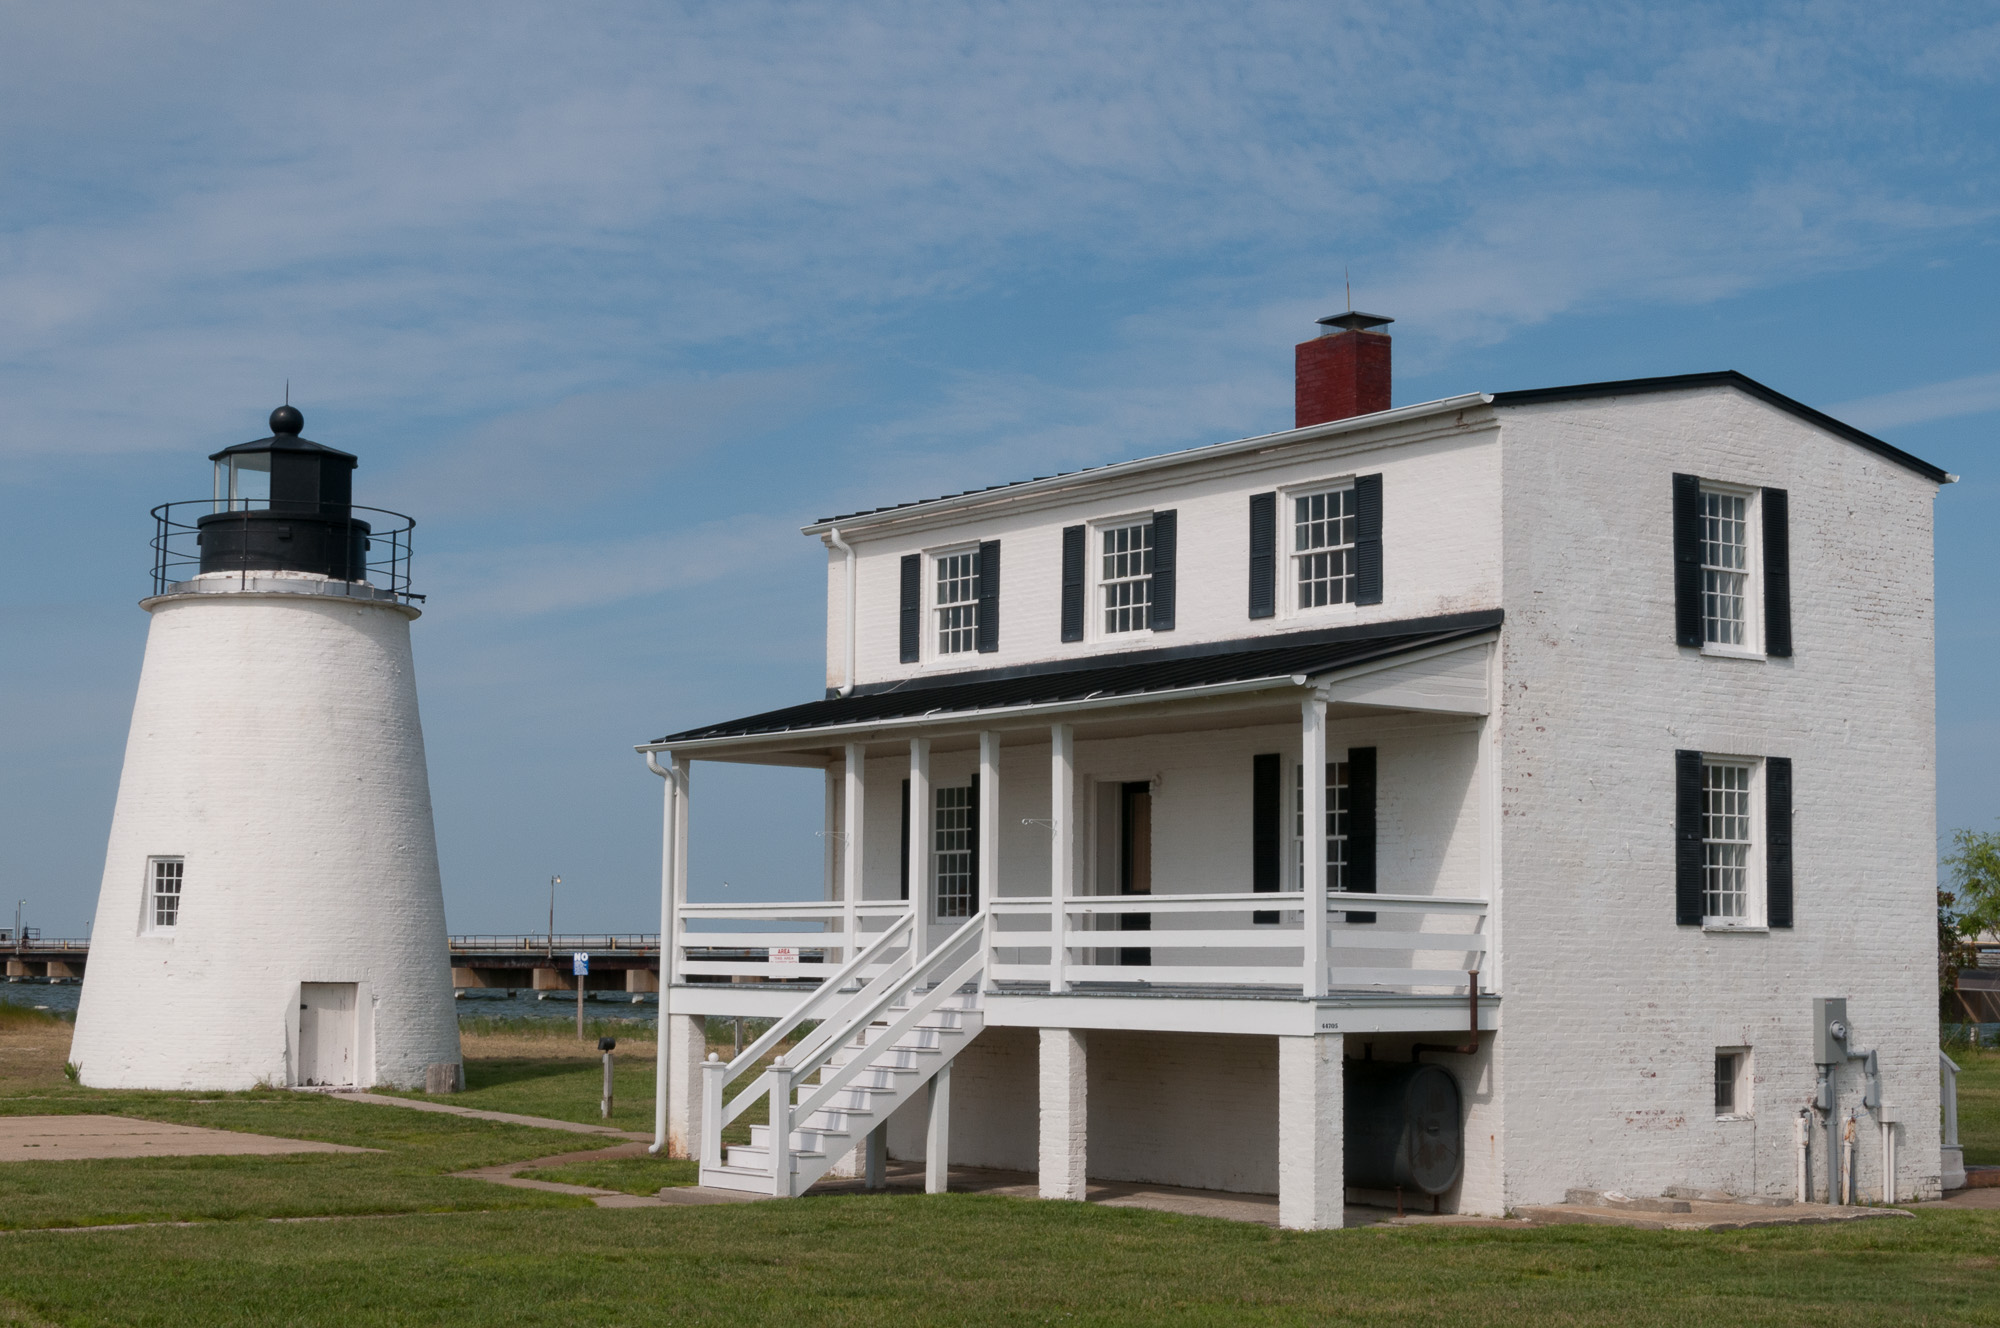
pixel 285 505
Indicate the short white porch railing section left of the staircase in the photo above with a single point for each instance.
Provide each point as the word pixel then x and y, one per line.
pixel 807 931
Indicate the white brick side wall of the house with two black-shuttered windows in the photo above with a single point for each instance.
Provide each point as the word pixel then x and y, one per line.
pixel 1613 1013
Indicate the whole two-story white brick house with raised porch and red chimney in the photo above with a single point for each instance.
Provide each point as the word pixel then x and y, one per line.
pixel 1609 711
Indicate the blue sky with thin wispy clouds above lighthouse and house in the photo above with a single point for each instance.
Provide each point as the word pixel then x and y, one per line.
pixel 617 297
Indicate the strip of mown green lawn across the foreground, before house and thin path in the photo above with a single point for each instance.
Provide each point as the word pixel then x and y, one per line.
pixel 995 1261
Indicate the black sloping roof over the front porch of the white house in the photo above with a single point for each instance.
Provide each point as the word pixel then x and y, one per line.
pixel 1127 675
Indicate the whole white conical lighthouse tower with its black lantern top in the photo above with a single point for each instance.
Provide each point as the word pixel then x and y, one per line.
pixel 271 909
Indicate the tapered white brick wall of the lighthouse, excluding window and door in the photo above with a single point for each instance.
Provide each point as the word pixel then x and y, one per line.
pixel 277 747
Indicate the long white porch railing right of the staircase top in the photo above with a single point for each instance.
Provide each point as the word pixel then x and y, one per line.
pixel 1419 943
